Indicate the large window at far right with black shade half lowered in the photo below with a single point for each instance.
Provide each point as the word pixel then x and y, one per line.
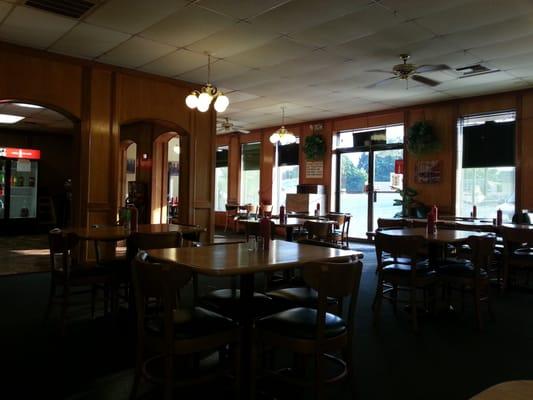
pixel 486 165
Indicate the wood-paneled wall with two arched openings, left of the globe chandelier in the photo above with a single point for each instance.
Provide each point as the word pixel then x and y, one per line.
pixel 100 99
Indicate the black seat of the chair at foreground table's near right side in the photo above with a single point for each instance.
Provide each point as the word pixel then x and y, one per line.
pixel 300 323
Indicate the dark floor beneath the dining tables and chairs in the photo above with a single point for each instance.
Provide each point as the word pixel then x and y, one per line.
pixel 448 359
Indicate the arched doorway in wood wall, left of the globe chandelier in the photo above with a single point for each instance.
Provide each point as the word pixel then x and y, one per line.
pixel 161 169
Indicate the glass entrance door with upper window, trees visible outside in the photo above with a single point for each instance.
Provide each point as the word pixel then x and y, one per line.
pixel 368 174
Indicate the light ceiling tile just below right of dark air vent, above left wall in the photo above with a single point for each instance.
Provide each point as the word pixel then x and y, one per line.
pixel 88 41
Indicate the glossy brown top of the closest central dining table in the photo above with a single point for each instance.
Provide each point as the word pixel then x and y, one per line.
pixel 236 259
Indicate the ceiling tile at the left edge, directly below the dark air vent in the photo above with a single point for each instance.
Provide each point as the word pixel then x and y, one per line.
pixel 20 27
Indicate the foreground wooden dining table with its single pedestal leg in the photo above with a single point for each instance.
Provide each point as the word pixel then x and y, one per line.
pixel 237 260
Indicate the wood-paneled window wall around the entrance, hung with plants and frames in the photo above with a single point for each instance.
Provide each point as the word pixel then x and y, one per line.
pixel 443 116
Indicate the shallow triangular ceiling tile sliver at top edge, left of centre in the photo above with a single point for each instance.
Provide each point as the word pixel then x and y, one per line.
pixel 240 9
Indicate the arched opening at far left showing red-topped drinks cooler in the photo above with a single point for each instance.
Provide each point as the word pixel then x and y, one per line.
pixel 39 166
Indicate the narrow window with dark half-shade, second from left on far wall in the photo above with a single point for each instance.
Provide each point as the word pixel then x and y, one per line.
pixel 250 174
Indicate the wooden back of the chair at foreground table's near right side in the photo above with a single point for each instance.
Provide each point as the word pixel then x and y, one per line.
pixel 334 279
